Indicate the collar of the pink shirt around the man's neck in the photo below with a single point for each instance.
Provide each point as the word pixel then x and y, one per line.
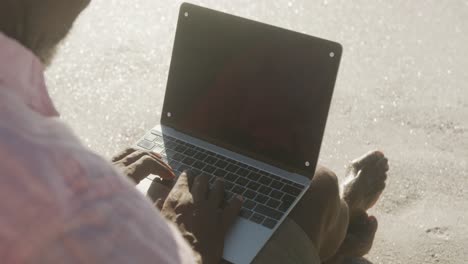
pixel 22 73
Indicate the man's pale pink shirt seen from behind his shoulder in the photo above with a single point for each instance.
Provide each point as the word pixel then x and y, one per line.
pixel 60 202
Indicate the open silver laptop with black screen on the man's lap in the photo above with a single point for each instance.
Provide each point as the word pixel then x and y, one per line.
pixel 247 102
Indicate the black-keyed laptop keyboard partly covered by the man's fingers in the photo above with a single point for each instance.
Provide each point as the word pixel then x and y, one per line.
pixel 267 197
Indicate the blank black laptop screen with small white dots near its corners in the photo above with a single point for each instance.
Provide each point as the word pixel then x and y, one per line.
pixel 254 89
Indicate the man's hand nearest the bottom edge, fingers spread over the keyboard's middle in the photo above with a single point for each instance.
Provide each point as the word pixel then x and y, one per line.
pixel 198 213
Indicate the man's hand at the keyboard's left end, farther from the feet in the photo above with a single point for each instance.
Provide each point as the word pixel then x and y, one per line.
pixel 138 164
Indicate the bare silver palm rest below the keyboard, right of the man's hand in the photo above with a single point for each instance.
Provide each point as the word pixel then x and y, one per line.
pixel 244 241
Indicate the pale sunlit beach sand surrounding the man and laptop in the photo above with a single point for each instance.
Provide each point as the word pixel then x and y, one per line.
pixel 402 88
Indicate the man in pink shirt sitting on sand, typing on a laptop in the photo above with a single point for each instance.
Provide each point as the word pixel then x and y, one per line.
pixel 61 203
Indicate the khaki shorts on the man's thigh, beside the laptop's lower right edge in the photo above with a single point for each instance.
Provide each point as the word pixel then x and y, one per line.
pixel 288 245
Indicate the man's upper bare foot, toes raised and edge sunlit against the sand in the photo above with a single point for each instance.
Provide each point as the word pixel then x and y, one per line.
pixel 364 183
